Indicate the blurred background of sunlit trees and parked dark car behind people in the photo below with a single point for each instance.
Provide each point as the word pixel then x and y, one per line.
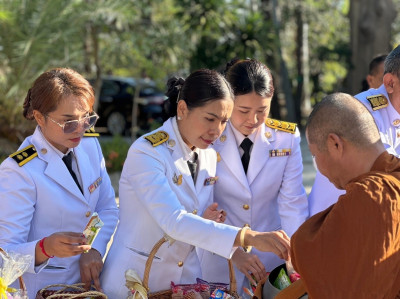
pixel 127 49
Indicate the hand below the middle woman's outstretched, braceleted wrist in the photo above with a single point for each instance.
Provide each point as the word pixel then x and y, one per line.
pixel 248 264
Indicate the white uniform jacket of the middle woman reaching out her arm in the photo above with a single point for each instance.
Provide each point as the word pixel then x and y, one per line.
pixel 158 197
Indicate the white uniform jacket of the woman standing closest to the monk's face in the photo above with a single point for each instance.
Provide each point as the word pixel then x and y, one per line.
pixel 269 198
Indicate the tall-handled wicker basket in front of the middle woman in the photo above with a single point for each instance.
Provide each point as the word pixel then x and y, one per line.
pixel 166 294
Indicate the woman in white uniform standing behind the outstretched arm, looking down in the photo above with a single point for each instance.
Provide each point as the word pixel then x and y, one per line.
pixel 259 186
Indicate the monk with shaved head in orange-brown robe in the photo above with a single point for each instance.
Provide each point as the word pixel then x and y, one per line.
pixel 352 249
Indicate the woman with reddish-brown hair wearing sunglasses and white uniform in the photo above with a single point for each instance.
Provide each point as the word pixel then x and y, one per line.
pixel 53 184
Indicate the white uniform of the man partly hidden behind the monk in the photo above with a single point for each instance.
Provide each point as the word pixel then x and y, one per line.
pixel 387 119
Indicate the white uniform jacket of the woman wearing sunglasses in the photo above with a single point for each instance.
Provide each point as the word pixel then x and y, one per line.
pixel 41 198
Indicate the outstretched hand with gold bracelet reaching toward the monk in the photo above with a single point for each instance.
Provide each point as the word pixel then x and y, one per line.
pixel 277 242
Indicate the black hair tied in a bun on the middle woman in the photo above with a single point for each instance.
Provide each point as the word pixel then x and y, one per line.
pixel 200 87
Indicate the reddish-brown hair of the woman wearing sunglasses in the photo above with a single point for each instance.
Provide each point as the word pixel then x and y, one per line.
pixel 52 87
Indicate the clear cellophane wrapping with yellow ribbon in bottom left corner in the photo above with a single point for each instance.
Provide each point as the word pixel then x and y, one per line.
pixel 12 266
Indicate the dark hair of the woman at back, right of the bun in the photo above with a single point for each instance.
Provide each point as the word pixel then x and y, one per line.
pixel 249 75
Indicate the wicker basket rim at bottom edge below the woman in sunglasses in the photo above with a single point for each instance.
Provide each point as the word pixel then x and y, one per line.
pixel 68 292
